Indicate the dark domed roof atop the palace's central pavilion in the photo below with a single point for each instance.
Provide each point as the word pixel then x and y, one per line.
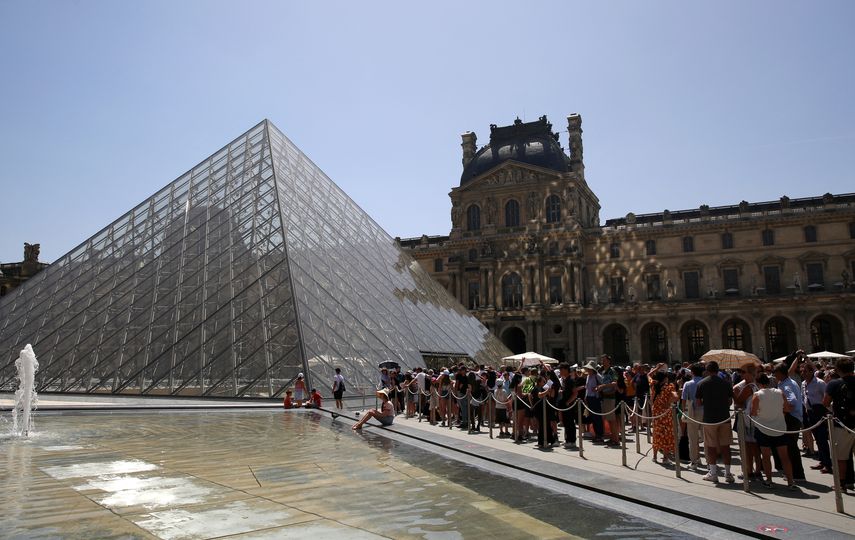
pixel 531 142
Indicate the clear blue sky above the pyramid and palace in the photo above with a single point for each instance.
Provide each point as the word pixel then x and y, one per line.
pixel 683 103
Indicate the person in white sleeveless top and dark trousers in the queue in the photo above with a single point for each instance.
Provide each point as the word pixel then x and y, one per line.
pixel 768 406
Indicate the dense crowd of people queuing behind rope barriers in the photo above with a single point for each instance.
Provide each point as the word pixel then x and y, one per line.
pixel 784 405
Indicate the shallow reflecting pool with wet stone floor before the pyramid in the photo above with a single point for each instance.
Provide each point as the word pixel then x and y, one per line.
pixel 267 474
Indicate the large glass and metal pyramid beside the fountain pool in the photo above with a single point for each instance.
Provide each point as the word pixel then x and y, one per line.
pixel 246 270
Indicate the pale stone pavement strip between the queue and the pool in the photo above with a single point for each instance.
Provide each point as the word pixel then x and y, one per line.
pixel 812 505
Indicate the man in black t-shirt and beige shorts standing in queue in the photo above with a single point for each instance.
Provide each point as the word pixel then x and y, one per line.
pixel 715 395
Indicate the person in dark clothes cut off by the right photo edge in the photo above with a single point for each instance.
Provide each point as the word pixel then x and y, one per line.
pixel 840 398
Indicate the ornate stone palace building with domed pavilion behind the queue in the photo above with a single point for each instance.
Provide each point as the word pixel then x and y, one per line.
pixel 528 255
